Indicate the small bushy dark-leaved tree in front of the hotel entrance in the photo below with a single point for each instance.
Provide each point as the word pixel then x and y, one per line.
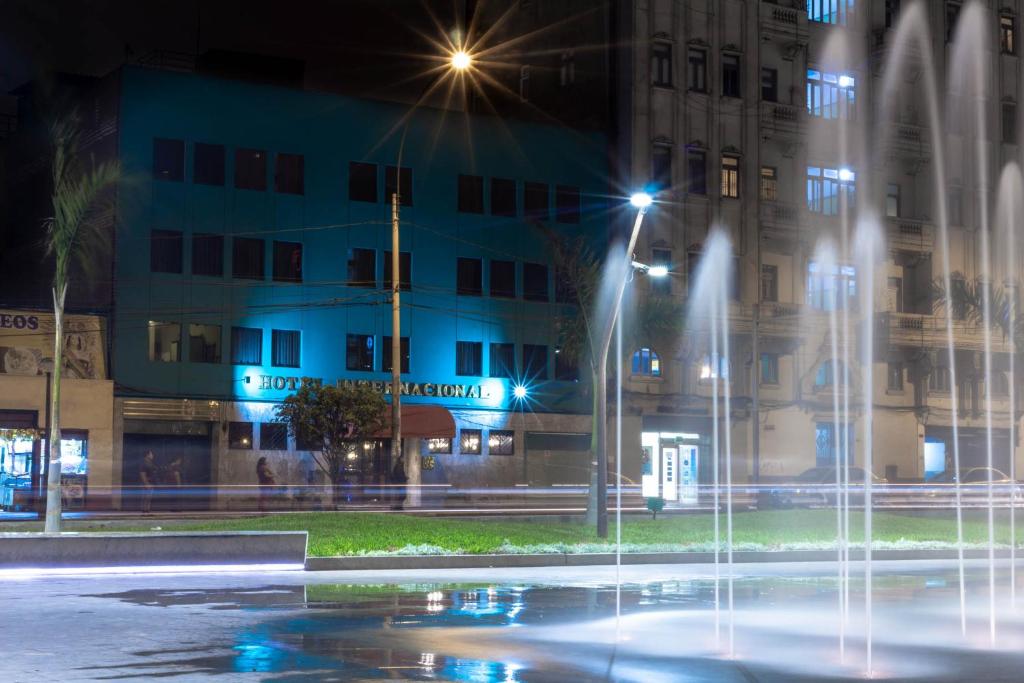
pixel 331 418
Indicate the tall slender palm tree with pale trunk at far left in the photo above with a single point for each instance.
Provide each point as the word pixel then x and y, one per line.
pixel 76 230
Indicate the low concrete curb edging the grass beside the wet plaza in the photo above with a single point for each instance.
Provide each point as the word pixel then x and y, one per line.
pixel 365 563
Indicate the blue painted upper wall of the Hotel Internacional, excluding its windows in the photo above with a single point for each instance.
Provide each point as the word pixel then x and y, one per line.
pixel 330 132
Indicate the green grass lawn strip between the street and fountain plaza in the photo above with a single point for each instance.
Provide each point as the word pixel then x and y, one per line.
pixel 367 533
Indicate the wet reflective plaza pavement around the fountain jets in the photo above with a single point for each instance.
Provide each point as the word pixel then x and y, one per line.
pixel 517 625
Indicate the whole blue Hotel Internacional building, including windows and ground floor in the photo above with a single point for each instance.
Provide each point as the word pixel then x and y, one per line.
pixel 254 250
